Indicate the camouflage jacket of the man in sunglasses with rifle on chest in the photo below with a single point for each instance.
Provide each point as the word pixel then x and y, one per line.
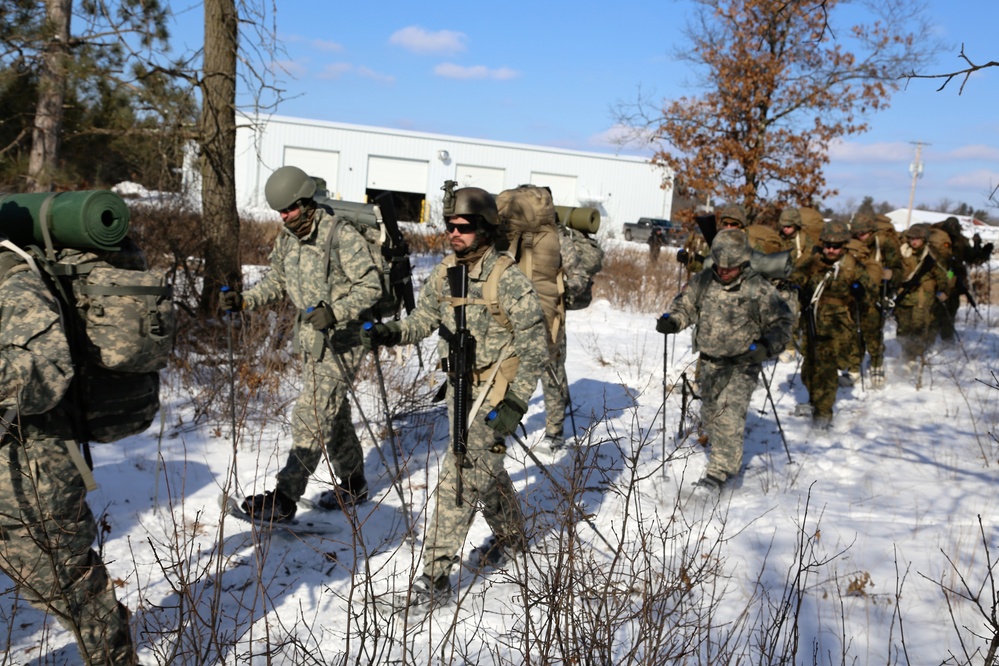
pixel 526 338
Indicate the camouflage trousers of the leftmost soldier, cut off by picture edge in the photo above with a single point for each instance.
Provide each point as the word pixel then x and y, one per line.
pixel 46 532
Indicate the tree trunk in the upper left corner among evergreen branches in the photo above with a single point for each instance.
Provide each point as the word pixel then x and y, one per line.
pixel 44 156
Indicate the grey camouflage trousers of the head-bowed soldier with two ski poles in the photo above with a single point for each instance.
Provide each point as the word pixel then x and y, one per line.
pixel 726 390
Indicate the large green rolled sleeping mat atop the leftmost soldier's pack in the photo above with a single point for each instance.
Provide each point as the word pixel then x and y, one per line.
pixel 87 220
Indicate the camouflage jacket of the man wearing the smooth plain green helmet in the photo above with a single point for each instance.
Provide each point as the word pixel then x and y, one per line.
pixel 298 270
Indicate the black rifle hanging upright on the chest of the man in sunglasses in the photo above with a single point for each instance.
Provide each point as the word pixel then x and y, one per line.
pixel 461 352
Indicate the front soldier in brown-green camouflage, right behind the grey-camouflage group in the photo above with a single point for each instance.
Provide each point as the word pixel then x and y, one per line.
pixel 831 283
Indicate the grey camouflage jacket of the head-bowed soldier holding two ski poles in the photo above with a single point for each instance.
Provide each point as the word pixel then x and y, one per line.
pixel 731 317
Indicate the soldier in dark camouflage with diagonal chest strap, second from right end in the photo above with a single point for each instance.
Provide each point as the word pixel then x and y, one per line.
pixel 921 287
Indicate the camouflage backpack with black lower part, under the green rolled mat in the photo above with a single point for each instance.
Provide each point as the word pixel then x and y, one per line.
pixel 119 321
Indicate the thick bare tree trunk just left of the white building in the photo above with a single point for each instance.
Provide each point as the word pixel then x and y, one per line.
pixel 220 220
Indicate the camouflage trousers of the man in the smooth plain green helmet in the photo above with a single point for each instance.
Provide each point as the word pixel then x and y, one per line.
pixel 321 421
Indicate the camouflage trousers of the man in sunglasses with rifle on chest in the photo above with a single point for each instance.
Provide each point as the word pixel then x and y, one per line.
pixel 486 486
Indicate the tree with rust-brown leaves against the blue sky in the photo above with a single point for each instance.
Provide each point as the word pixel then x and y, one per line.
pixel 780 82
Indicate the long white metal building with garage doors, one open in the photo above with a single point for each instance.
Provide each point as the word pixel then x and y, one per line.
pixel 359 162
